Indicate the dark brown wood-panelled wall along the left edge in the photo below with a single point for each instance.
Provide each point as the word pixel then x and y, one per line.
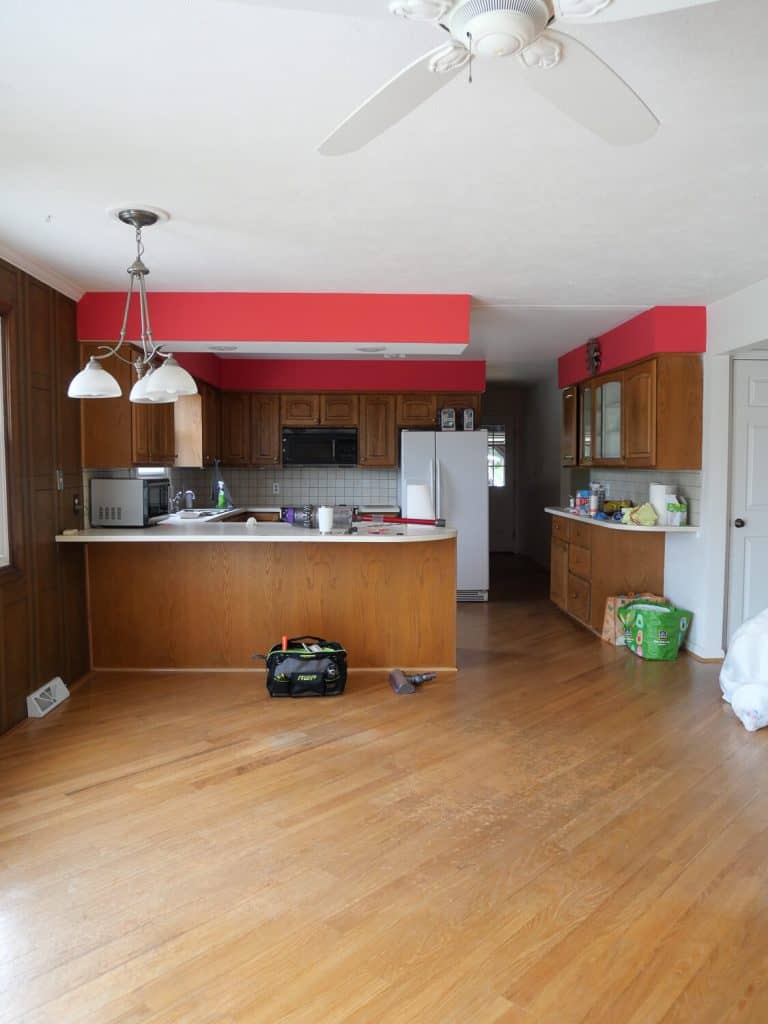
pixel 44 626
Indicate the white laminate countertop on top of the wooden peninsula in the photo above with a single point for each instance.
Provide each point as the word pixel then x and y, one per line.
pixel 195 532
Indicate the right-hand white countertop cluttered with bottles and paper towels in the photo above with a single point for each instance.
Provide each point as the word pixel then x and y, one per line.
pixel 665 511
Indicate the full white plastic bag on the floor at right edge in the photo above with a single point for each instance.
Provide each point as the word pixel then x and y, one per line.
pixel 744 678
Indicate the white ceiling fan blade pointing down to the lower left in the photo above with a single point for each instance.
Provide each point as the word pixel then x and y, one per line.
pixel 400 97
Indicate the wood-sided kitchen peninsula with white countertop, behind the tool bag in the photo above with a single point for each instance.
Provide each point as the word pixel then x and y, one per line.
pixel 208 596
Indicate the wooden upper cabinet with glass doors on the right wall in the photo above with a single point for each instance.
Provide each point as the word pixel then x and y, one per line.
pixel 646 417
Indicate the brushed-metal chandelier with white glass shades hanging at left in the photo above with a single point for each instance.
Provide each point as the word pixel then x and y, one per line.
pixel 161 379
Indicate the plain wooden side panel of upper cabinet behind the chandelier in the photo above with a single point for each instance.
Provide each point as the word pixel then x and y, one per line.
pixel 106 423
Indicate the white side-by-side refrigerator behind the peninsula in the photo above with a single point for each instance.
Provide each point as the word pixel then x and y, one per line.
pixel 454 467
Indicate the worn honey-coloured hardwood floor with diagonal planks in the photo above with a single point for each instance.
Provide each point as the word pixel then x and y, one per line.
pixel 560 833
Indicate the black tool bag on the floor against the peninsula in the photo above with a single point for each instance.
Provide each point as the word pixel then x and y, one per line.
pixel 310 668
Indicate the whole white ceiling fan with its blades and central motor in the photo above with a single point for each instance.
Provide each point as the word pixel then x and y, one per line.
pixel 557 66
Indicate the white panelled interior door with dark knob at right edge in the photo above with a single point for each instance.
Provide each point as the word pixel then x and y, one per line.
pixel 748 590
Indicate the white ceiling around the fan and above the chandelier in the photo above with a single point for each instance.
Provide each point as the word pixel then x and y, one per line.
pixel 214 111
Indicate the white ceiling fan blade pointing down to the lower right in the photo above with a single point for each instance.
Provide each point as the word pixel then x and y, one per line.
pixel 590 93
